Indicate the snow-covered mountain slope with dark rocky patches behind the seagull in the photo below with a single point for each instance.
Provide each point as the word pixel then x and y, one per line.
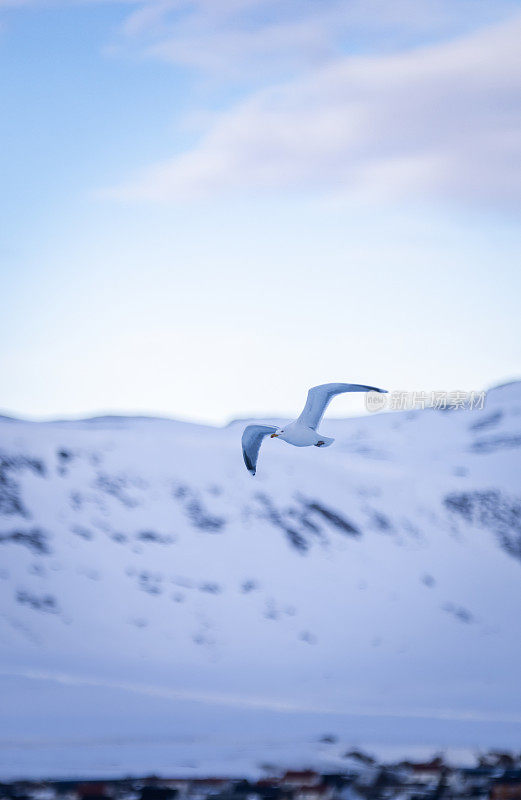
pixel 148 581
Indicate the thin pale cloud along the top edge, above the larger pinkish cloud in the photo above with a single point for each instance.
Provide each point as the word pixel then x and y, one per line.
pixel 234 37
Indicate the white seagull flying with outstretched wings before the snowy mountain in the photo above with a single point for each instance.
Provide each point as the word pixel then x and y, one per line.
pixel 303 431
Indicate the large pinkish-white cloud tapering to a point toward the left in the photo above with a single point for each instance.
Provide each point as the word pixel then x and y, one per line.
pixel 441 121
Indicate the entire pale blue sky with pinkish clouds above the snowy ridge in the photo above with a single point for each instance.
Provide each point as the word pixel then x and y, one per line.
pixel 209 205
